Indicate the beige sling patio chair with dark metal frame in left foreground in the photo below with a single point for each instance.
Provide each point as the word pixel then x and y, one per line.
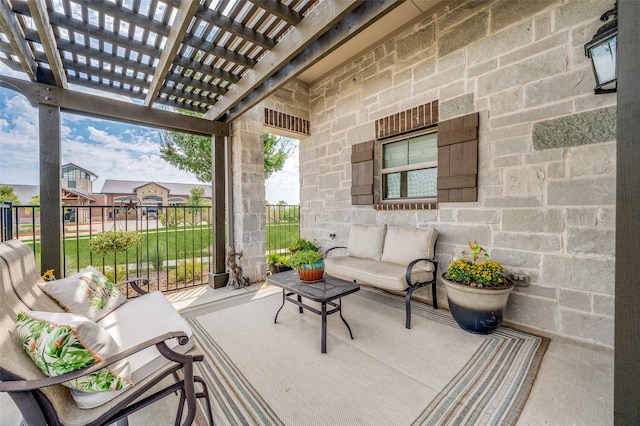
pixel 43 400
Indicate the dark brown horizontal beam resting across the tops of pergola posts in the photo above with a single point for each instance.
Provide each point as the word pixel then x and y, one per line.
pixel 102 107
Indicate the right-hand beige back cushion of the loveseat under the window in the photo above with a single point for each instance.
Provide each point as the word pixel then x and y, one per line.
pixel 403 245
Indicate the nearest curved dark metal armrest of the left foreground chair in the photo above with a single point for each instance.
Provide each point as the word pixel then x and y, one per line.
pixel 159 342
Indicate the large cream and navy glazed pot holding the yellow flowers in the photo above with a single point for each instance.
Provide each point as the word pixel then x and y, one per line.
pixel 477 310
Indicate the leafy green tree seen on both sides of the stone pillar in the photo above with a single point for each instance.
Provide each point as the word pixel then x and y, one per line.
pixel 192 153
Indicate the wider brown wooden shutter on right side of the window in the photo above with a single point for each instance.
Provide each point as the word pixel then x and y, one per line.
pixel 458 159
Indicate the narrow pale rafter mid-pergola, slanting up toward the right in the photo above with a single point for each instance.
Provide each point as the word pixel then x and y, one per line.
pixel 186 12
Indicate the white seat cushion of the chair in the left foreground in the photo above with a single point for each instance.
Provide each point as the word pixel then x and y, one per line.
pixel 135 322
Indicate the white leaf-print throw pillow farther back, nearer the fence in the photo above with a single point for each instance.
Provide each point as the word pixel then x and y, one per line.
pixel 88 293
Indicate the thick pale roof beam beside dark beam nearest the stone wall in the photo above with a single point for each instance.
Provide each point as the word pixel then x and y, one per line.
pixel 327 14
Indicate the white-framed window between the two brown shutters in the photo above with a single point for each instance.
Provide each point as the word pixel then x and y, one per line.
pixel 410 167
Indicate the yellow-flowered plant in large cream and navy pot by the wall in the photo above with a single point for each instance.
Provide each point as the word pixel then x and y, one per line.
pixel 477 291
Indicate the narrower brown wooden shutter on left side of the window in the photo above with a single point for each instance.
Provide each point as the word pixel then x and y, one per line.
pixel 362 173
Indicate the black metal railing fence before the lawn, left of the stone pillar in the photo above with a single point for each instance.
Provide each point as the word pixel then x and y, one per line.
pixel 175 252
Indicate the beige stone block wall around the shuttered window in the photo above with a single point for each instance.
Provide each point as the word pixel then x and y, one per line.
pixel 546 190
